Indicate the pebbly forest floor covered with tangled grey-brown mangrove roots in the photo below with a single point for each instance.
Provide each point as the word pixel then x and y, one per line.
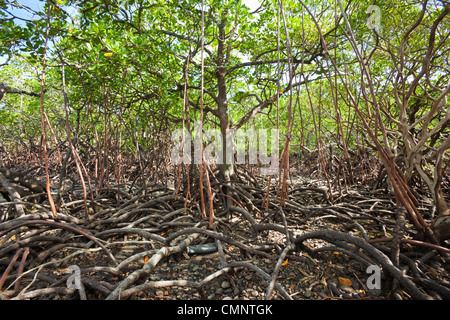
pixel 144 238
